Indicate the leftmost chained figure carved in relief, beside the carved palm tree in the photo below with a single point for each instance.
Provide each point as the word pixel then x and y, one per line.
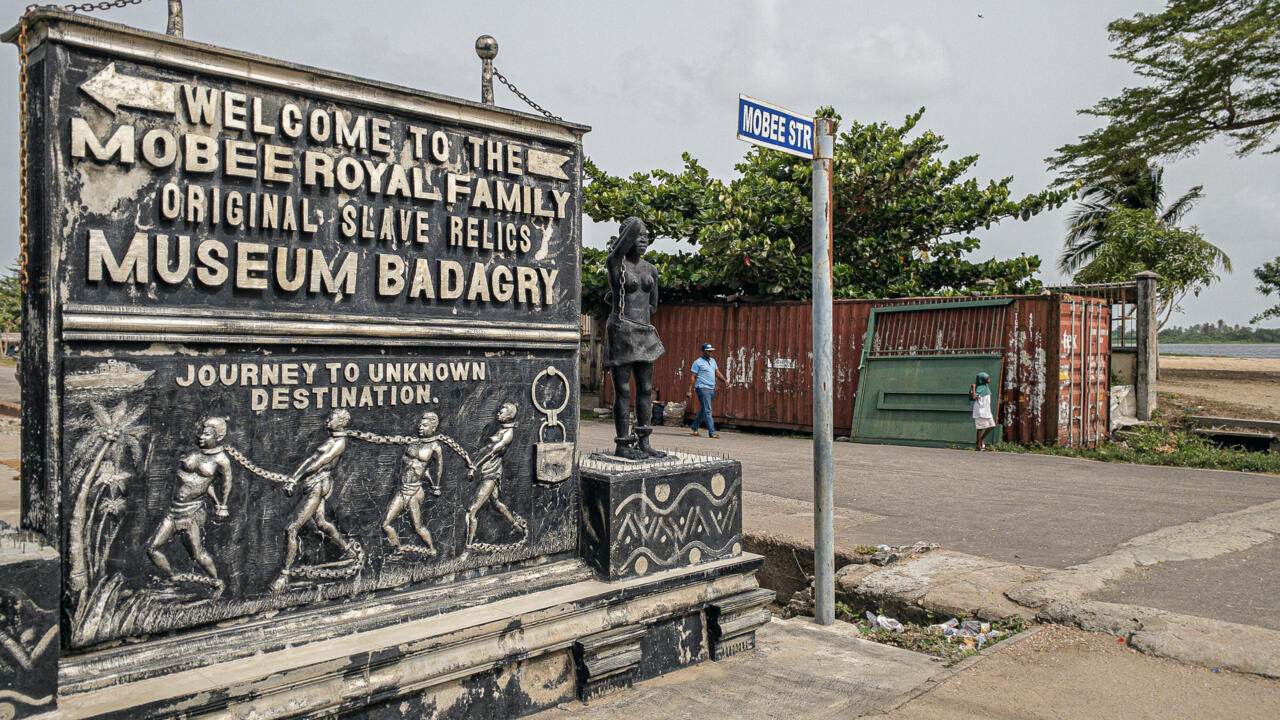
pixel 186 516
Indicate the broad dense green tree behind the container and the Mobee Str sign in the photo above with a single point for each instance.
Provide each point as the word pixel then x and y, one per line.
pixel 904 220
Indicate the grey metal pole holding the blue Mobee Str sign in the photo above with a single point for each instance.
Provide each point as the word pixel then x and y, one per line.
pixel 824 432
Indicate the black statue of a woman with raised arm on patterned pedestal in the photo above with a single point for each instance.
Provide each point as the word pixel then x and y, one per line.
pixel 632 343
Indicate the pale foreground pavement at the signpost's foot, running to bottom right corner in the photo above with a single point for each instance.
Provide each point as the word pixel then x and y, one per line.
pixel 804 671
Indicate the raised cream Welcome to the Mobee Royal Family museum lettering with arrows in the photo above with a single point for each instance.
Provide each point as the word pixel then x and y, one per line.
pixel 318 172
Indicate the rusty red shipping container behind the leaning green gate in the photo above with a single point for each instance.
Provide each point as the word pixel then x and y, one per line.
pixel 1055 354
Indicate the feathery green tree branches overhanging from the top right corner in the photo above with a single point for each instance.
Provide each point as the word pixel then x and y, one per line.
pixel 1212 70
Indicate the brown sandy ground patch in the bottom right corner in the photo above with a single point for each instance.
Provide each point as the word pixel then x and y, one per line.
pixel 1068 675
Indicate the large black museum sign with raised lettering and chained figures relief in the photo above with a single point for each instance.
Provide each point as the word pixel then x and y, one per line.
pixel 298 336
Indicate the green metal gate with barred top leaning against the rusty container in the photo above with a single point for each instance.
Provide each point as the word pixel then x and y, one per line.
pixel 918 363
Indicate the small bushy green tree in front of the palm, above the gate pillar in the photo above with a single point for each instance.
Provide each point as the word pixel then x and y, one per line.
pixel 1137 241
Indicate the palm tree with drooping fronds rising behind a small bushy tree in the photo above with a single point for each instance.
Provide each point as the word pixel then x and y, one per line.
pixel 1137 185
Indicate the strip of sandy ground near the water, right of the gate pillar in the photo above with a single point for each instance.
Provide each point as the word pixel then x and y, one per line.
pixel 1237 388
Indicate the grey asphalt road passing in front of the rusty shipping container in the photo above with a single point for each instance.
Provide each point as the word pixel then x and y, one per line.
pixel 1027 509
